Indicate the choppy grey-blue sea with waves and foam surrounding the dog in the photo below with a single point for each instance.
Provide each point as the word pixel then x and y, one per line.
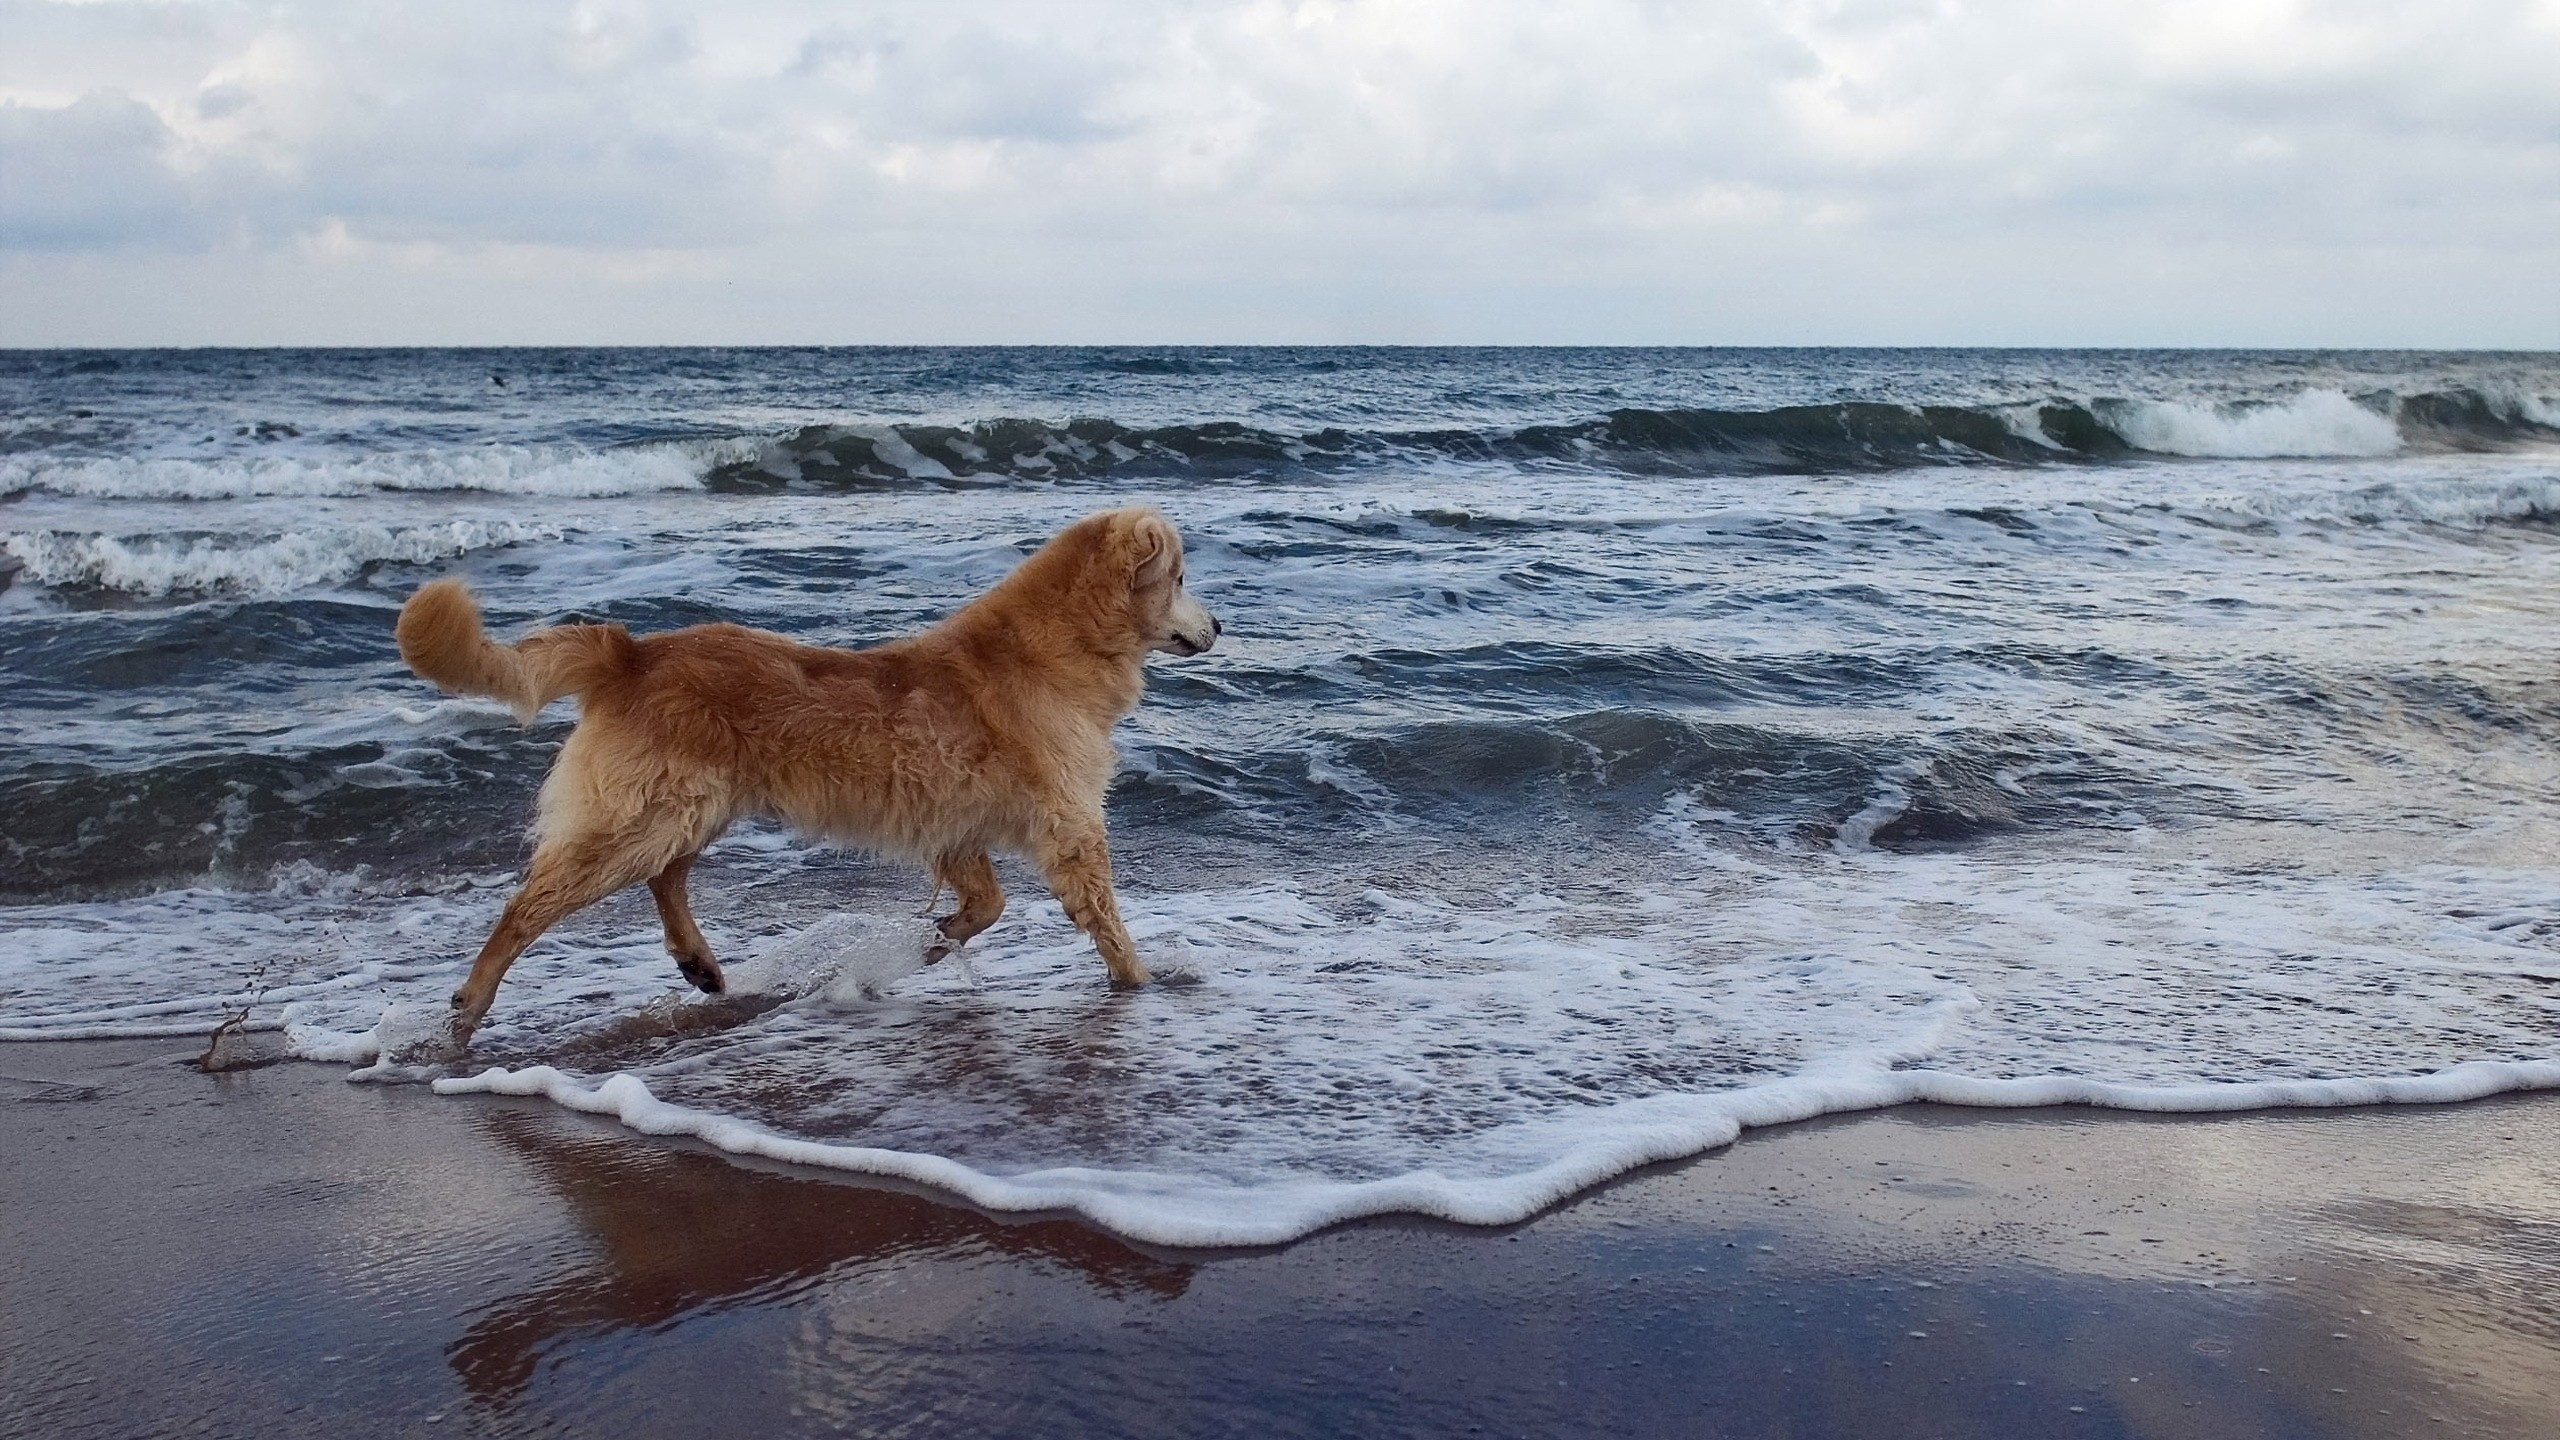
pixel 1609 752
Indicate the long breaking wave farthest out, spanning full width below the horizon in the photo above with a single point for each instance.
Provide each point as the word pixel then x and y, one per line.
pixel 1663 442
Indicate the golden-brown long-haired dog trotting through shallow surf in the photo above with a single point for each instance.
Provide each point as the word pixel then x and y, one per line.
pixel 992 732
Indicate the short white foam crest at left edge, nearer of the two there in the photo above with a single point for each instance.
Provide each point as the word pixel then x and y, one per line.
pixel 250 565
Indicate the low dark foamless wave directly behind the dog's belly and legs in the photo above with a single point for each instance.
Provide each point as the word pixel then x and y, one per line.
pixel 434 801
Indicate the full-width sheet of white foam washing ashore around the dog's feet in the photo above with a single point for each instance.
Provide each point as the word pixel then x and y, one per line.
pixel 1358 1054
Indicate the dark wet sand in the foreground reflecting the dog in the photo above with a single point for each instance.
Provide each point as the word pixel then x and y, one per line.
pixel 288 1254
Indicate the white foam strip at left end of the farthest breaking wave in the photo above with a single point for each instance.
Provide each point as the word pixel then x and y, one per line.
pixel 503 470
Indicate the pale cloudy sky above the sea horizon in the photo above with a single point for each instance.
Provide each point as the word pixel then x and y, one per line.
pixel 1975 173
